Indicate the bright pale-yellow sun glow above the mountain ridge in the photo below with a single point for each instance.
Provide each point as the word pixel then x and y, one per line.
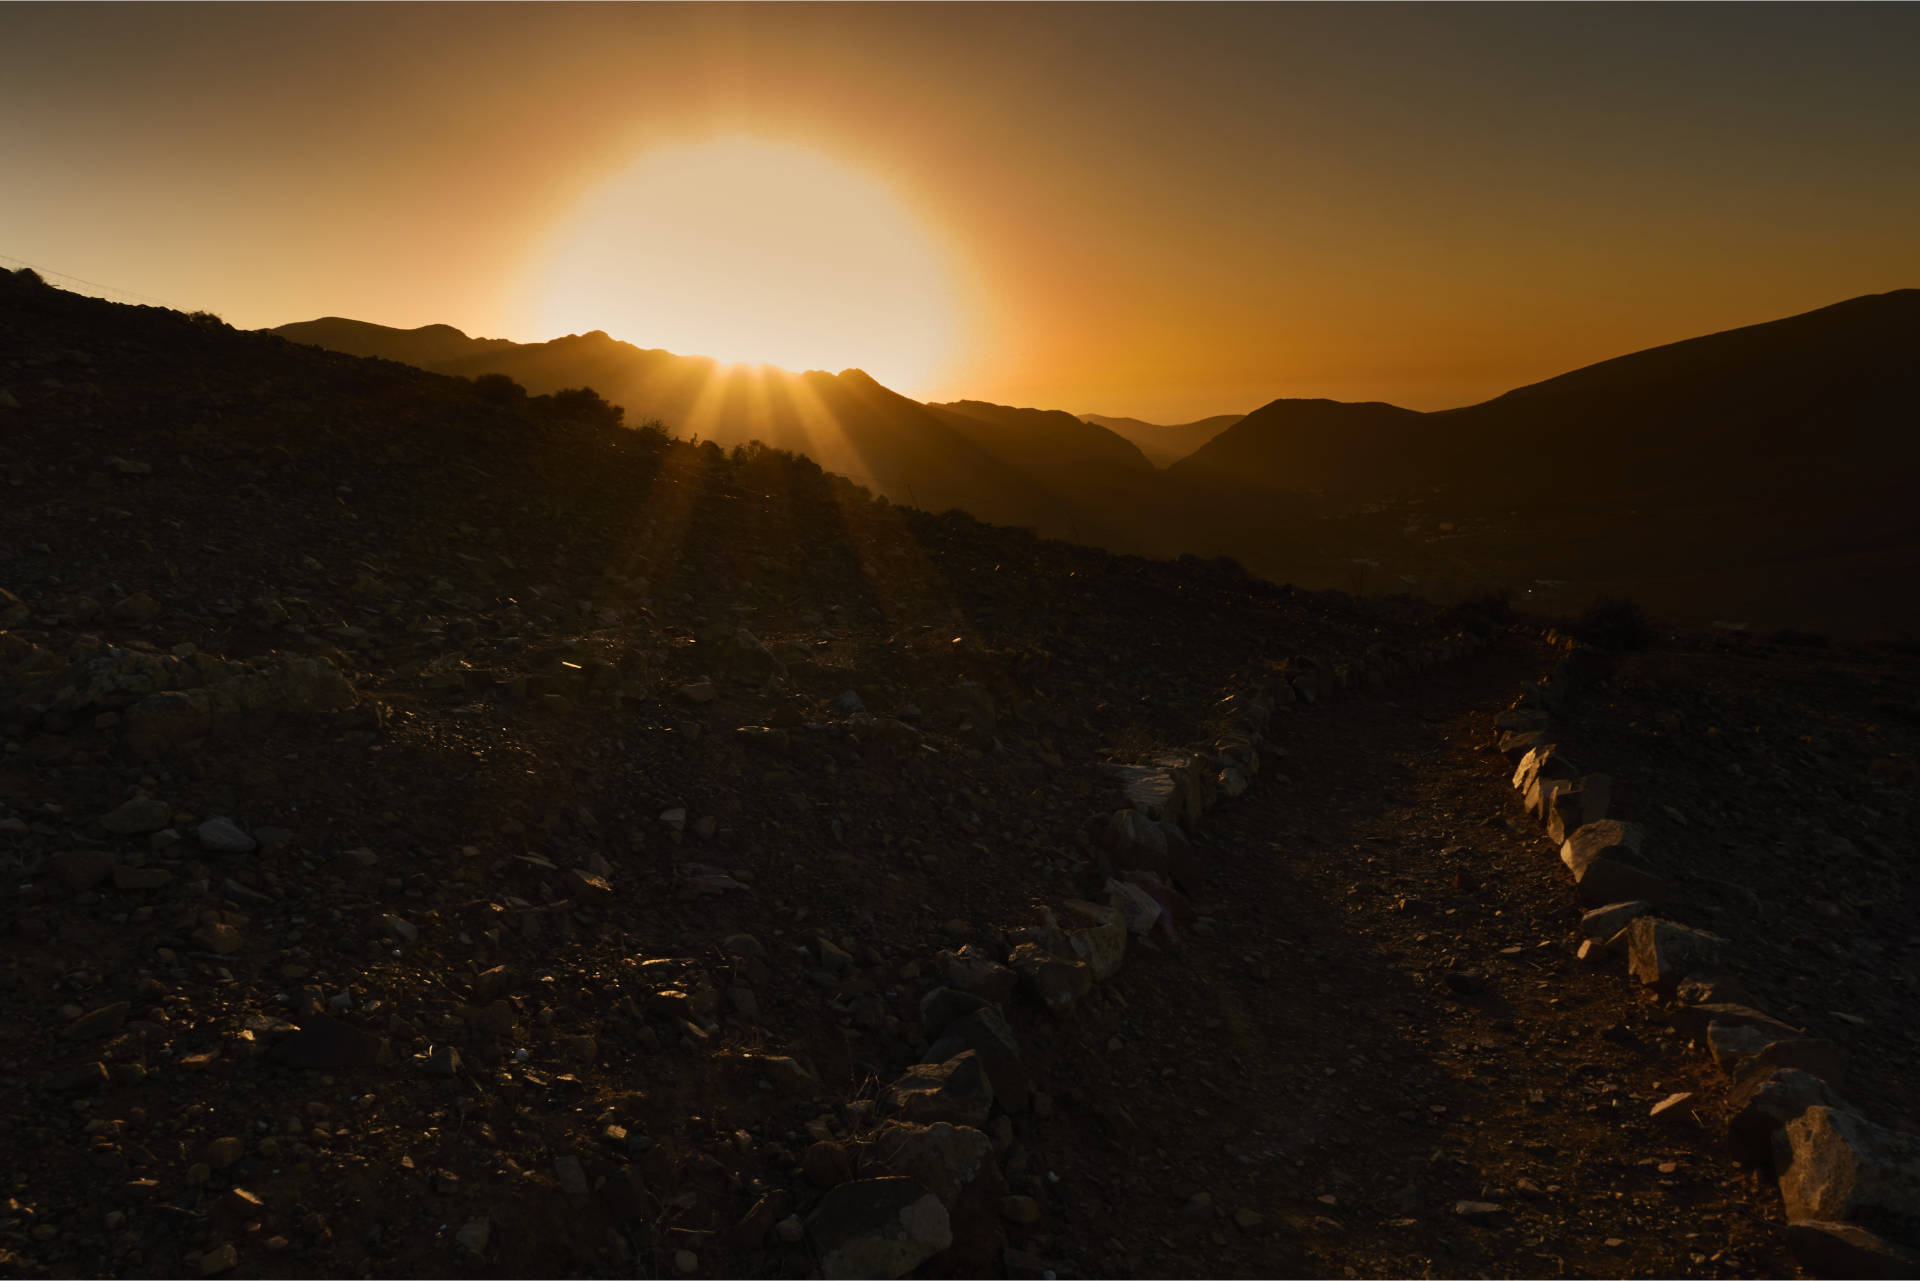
pixel 752 251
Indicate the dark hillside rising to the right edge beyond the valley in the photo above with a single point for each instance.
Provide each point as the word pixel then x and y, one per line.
pixel 1754 475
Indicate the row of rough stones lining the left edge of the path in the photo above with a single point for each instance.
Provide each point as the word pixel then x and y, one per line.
pixel 930 1180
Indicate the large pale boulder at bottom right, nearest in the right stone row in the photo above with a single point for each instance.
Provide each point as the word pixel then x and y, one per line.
pixel 1836 1167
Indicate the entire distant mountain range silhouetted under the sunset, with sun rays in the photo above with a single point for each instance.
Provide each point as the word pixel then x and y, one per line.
pixel 1754 471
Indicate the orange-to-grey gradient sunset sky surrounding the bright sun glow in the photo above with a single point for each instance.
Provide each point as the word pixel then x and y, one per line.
pixel 1149 210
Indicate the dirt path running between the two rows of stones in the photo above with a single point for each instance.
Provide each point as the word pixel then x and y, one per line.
pixel 1380 1015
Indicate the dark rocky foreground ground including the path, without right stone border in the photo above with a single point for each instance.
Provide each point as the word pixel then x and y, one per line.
pixel 456 836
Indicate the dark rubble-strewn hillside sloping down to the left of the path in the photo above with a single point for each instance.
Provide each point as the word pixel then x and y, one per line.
pixel 471 834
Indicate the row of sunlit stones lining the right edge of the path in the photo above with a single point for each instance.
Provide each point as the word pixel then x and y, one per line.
pixel 1852 1190
